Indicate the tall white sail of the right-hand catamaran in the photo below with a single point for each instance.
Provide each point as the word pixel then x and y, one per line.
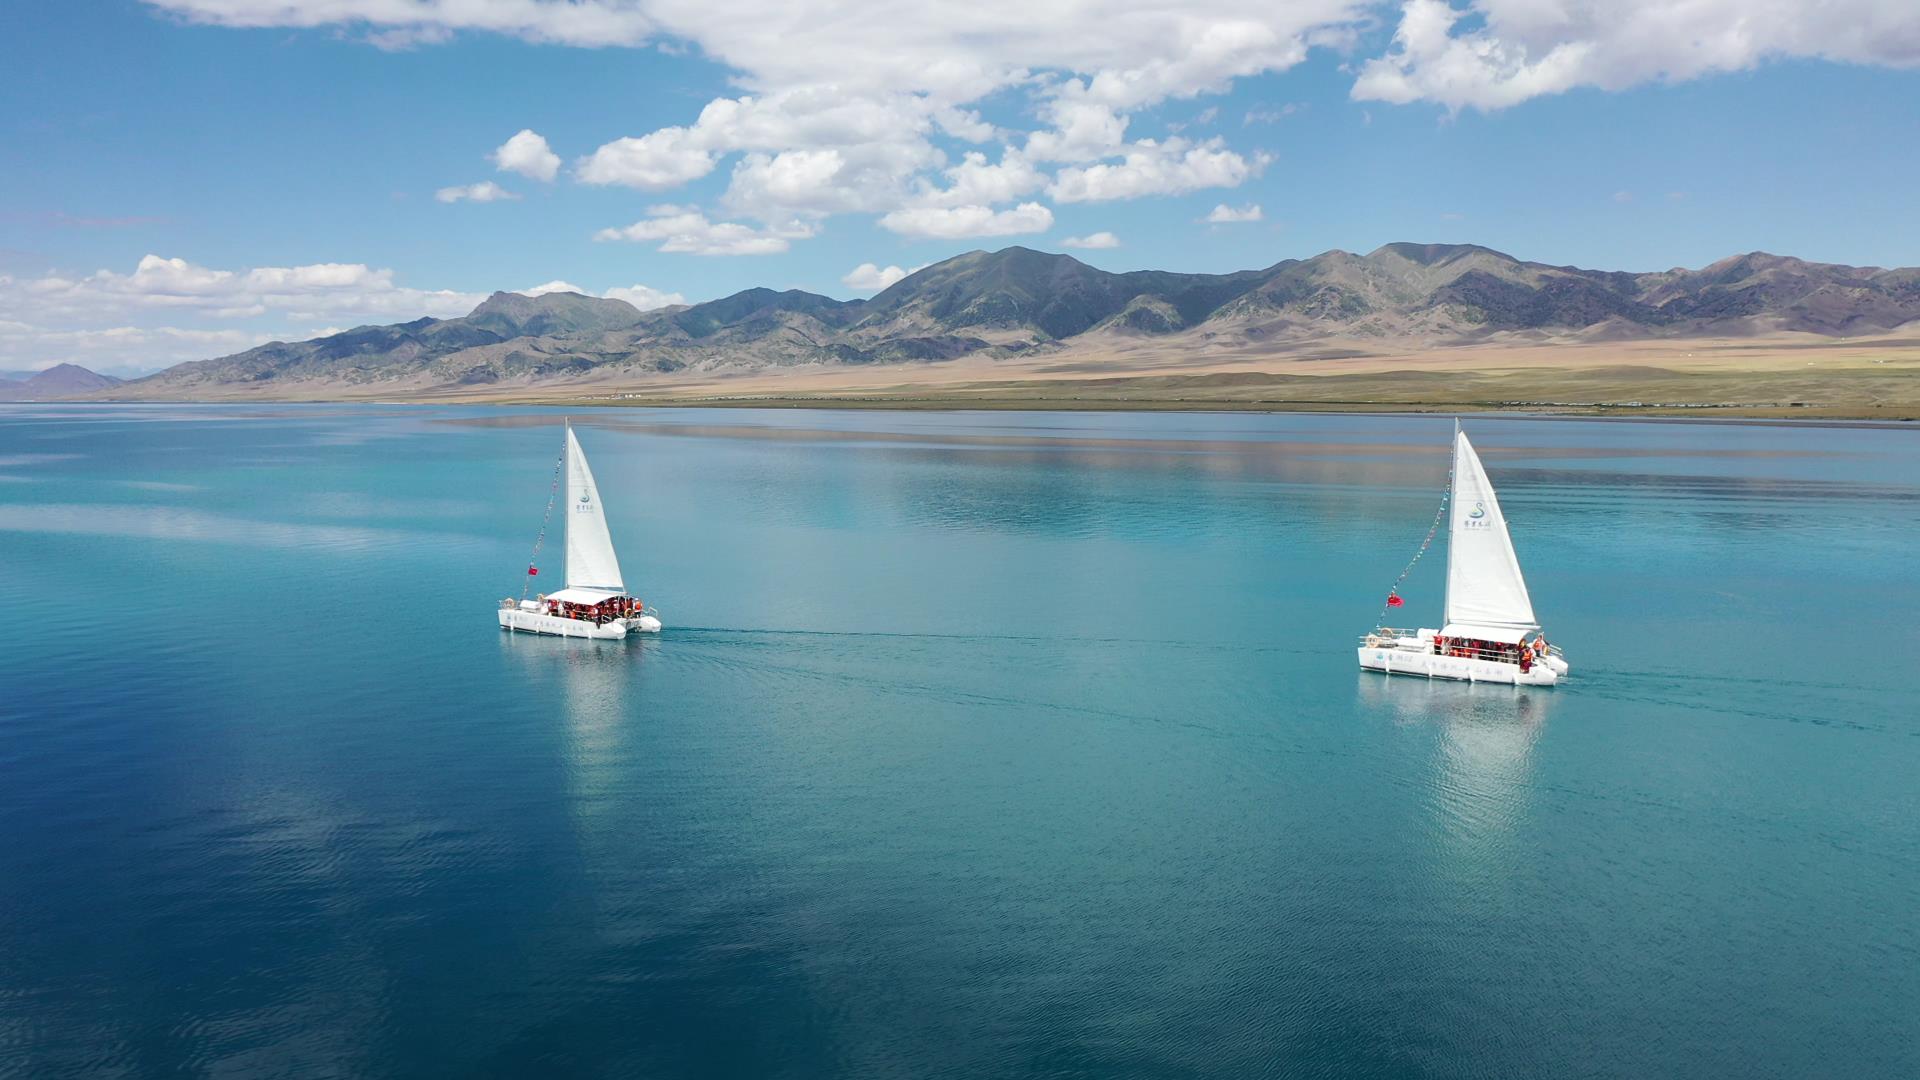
pixel 1483 576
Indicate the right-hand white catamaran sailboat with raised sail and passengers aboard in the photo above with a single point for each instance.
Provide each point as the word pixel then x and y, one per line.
pixel 1489 633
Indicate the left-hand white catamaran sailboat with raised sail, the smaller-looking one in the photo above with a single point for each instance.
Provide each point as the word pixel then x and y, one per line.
pixel 594 602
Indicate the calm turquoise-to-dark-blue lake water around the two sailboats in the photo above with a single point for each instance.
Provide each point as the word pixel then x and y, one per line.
pixel 978 745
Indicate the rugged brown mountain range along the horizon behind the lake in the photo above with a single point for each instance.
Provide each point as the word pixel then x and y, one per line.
pixel 1022 303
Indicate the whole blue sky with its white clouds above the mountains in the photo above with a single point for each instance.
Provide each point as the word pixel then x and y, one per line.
pixel 277 162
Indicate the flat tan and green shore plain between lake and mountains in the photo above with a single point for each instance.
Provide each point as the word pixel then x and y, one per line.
pixel 1867 380
